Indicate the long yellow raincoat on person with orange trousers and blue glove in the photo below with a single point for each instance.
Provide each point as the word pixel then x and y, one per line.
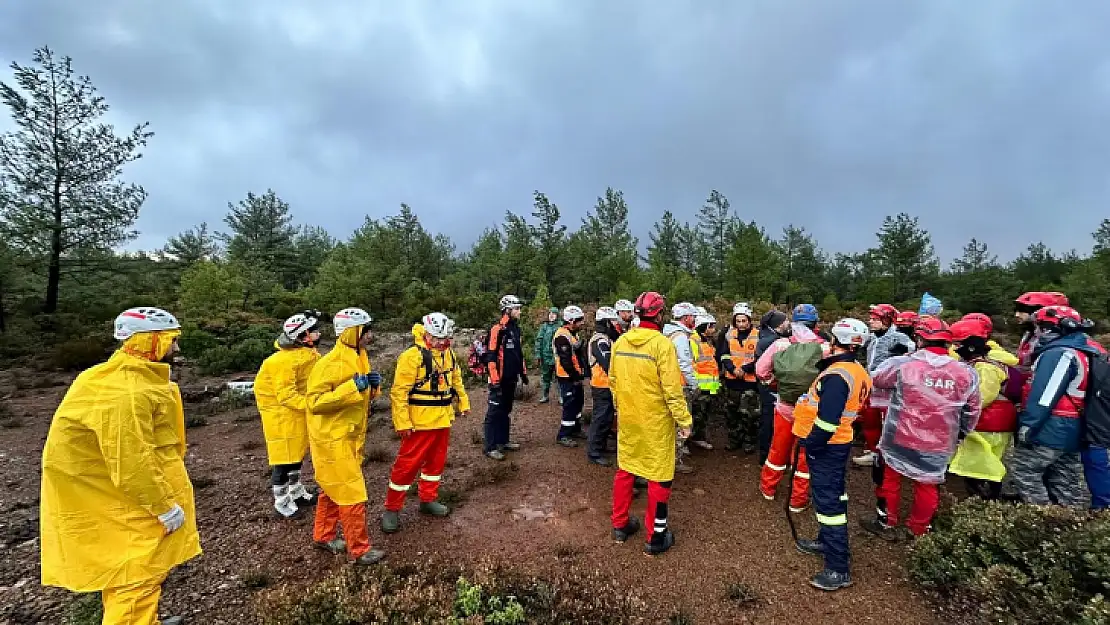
pixel 338 420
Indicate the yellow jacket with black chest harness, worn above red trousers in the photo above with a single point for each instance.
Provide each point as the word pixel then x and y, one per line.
pixel 423 400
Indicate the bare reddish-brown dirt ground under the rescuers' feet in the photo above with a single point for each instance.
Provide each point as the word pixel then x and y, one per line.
pixel 553 508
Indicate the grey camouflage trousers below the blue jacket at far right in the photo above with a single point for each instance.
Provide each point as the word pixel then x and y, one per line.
pixel 1046 477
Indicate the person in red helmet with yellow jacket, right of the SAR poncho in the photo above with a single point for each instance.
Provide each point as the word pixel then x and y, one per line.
pixel 980 458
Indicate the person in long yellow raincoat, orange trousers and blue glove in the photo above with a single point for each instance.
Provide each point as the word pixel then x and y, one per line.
pixel 341 388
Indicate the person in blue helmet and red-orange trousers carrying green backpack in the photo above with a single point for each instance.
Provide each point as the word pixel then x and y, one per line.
pixel 784 441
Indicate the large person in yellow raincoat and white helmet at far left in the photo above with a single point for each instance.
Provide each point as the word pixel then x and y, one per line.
pixel 117 505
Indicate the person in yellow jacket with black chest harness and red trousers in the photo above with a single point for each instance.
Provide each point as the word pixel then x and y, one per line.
pixel 428 386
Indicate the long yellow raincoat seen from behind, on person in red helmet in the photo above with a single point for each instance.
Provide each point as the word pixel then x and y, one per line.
pixel 648 391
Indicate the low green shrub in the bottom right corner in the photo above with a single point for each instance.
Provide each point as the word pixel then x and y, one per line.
pixel 1020 563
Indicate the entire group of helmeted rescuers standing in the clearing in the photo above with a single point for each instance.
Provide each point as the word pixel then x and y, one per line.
pixel 929 399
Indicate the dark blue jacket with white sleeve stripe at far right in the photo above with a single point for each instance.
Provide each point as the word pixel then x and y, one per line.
pixel 1056 369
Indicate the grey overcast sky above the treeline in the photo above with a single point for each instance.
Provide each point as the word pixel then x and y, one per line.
pixel 988 118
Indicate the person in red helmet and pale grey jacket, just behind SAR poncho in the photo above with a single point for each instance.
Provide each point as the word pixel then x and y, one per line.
pixel 886 342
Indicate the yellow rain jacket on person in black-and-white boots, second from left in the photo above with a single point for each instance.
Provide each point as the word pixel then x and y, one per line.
pixel 280 391
